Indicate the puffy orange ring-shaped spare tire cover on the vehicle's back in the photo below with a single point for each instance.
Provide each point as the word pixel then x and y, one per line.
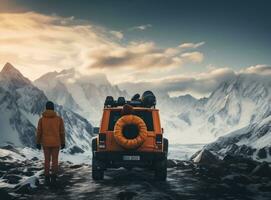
pixel 130 143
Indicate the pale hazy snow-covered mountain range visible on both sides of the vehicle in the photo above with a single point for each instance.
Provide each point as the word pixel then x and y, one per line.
pixel 234 104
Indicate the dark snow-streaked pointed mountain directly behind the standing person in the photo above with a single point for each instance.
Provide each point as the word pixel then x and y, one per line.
pixel 21 105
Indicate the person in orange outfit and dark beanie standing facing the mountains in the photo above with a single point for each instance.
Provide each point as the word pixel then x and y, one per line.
pixel 51 136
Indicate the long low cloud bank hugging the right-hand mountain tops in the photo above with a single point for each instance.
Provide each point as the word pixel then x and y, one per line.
pixel 201 84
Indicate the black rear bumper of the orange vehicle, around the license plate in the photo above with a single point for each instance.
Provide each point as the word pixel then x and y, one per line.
pixel 116 159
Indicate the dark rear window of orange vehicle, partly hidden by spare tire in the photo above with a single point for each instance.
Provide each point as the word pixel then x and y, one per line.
pixel 145 115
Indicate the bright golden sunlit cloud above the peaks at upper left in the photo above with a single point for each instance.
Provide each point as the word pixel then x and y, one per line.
pixel 39 43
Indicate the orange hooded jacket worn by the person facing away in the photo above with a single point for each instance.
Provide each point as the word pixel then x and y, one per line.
pixel 50 131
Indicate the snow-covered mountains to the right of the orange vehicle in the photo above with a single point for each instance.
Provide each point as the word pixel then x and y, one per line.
pixel 233 105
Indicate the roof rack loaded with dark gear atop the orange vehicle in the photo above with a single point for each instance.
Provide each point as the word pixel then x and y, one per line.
pixel 148 100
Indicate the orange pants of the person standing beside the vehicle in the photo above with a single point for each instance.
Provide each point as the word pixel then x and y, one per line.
pixel 50 154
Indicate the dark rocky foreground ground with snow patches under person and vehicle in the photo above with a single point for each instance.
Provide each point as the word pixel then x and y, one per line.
pixel 22 177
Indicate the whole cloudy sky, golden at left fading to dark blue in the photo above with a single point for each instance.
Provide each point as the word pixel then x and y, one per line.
pixel 186 47
